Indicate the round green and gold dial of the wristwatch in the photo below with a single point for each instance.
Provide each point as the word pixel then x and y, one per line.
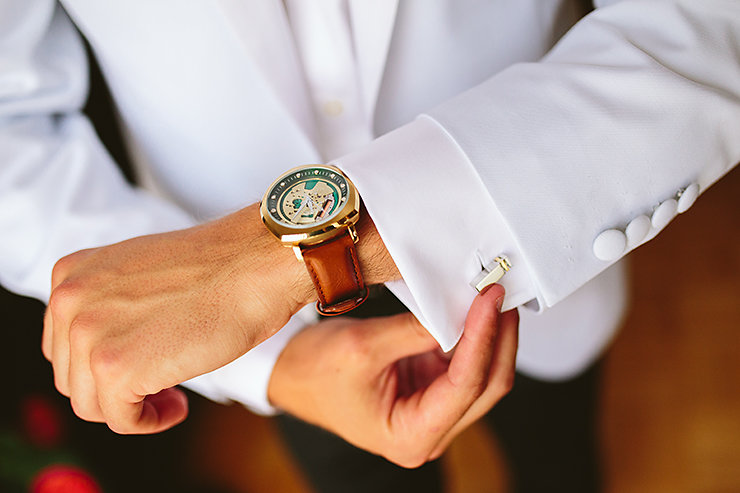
pixel 307 197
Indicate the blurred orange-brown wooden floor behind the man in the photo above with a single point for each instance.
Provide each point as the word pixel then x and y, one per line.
pixel 671 402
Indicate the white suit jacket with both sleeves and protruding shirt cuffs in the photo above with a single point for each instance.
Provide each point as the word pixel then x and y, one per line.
pixel 496 134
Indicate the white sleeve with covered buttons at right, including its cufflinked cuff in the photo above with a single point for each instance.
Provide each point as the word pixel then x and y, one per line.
pixel 565 165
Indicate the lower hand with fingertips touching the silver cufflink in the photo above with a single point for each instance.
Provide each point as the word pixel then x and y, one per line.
pixel 383 385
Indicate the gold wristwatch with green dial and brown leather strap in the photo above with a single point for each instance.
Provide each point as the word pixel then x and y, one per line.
pixel 314 209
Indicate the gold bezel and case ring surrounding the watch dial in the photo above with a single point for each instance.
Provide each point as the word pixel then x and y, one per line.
pixel 297 235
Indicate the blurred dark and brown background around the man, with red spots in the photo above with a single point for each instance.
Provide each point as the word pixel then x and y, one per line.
pixel 670 404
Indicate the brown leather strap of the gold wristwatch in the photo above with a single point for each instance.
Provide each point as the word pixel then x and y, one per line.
pixel 335 272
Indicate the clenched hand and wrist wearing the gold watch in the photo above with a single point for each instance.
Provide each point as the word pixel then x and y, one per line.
pixel 128 322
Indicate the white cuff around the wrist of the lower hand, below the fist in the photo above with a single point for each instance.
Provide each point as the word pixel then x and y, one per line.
pixel 246 379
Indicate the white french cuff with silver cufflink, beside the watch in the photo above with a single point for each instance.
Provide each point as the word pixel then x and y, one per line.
pixel 438 222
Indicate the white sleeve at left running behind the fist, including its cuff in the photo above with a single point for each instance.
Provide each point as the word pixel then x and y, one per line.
pixel 60 191
